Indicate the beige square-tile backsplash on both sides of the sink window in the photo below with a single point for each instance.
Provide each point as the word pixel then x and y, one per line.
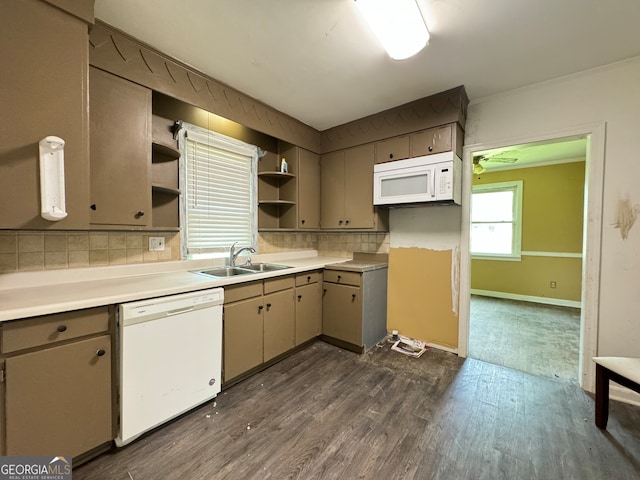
pixel 32 250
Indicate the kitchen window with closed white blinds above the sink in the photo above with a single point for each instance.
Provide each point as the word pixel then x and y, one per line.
pixel 219 175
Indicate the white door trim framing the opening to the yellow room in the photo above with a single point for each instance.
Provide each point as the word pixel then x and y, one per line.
pixel 592 231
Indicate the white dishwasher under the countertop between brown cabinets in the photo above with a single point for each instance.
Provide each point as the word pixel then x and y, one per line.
pixel 170 358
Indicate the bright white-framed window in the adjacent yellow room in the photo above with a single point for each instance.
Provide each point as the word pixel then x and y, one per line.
pixel 496 220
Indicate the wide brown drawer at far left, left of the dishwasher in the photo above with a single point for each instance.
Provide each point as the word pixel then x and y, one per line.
pixel 48 329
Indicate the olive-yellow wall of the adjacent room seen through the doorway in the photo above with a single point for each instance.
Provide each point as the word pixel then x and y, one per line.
pixel 552 213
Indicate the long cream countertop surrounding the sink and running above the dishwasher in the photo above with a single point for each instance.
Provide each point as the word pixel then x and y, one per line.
pixel 28 294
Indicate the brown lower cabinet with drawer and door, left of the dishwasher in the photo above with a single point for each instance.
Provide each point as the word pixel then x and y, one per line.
pixel 57 392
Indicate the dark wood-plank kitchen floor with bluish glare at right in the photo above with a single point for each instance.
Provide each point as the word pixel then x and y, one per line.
pixel 325 413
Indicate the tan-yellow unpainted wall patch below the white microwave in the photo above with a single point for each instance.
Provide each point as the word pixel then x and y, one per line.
pixel 420 295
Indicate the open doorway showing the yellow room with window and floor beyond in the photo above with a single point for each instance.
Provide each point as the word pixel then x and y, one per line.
pixel 527 207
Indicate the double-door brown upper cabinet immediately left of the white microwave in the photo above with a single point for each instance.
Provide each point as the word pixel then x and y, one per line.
pixel 346 201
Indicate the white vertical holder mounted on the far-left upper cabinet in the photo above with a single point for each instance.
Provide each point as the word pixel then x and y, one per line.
pixel 52 198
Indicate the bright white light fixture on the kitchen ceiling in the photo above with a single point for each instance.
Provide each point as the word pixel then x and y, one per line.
pixel 398 24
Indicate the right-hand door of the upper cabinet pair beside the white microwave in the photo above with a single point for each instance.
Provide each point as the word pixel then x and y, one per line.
pixel 358 197
